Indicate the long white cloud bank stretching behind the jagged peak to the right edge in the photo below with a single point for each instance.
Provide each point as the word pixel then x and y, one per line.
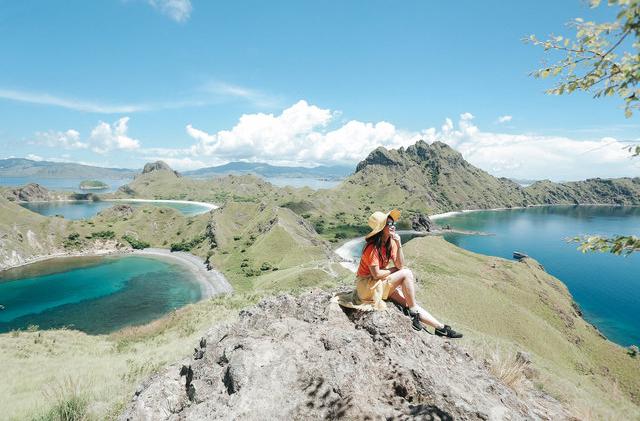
pixel 305 134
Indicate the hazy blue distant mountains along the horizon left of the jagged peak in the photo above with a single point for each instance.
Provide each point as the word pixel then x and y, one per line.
pixel 20 167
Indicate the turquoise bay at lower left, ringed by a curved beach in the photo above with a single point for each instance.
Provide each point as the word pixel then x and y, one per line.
pixel 93 294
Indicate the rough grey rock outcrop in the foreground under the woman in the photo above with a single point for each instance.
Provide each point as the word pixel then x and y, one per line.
pixel 306 358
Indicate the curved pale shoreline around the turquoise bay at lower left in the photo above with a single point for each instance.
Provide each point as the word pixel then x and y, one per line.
pixel 212 282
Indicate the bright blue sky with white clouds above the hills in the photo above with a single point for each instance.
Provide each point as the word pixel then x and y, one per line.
pixel 198 83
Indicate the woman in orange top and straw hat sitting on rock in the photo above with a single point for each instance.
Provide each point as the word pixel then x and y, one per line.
pixel 375 283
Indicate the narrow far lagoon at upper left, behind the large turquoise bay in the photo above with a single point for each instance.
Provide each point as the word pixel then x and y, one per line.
pixel 82 209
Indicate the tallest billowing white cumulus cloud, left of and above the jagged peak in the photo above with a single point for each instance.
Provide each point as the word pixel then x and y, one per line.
pixel 299 134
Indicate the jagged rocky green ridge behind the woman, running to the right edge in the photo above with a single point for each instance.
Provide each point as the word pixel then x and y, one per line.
pixel 439 177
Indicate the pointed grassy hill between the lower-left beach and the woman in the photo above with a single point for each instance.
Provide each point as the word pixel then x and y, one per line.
pixel 268 247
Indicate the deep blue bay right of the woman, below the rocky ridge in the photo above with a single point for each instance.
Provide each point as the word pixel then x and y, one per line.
pixel 606 287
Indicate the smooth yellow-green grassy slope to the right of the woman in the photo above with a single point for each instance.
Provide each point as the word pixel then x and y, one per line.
pixel 504 306
